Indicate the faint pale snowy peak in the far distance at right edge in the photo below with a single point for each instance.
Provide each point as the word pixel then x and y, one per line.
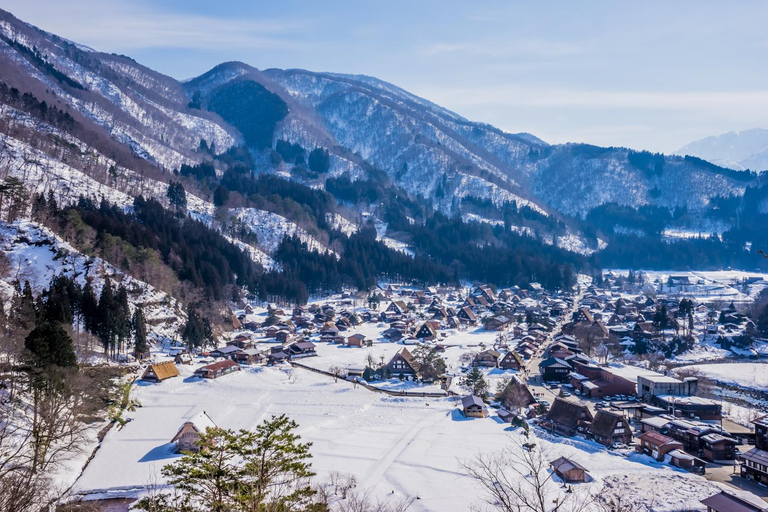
pixel 747 149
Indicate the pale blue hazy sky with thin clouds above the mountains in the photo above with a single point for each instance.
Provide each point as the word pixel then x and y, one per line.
pixel 648 75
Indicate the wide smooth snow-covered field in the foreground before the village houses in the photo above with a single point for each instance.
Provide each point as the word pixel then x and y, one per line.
pixel 414 447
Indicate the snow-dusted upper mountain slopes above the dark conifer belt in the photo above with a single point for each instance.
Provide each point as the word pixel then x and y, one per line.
pixel 133 127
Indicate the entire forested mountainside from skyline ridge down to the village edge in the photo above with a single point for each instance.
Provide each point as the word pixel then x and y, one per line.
pixel 286 183
